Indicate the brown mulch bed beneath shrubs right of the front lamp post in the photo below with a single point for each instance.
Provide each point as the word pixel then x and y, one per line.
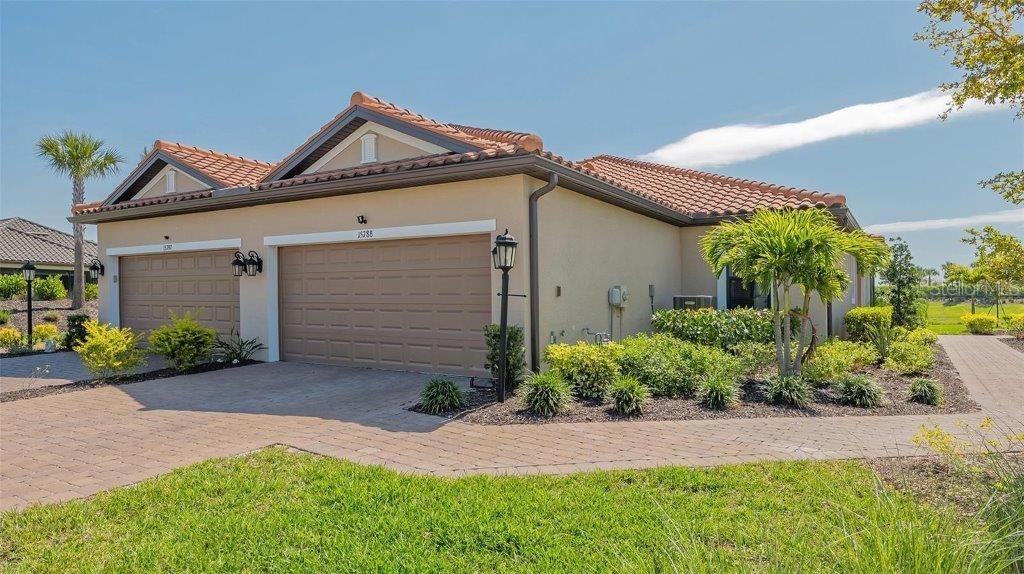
pixel 753 404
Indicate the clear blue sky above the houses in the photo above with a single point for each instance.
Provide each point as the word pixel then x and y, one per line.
pixel 625 79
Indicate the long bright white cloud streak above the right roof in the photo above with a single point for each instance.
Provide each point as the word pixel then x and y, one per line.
pixel 729 145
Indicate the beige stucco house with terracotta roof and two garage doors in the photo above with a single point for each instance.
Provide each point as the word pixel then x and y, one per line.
pixel 374 240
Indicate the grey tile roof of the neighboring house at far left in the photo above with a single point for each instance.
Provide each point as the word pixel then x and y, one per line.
pixel 22 240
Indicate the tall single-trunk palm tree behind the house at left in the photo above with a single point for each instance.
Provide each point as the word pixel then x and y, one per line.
pixel 80 157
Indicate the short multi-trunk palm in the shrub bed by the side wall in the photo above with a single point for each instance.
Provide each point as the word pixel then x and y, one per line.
pixel 781 250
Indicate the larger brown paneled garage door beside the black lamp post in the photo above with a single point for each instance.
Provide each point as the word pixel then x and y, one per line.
pixel 404 304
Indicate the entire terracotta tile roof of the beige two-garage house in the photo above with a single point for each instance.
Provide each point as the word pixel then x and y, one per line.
pixel 691 194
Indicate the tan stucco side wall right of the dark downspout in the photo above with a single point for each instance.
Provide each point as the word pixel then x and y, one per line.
pixel 587 247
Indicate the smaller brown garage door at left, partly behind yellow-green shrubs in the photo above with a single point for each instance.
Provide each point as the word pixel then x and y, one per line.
pixel 153 287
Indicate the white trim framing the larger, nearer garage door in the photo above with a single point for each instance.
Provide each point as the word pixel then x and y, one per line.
pixel 368 235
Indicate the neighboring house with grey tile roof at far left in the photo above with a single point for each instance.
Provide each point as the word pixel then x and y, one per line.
pixel 52 251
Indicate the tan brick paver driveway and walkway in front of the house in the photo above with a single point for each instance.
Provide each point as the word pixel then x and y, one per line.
pixel 76 445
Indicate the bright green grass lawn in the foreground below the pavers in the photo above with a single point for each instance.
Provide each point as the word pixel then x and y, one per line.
pixel 279 511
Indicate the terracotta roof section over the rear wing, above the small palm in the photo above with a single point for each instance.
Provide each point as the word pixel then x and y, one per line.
pixel 702 194
